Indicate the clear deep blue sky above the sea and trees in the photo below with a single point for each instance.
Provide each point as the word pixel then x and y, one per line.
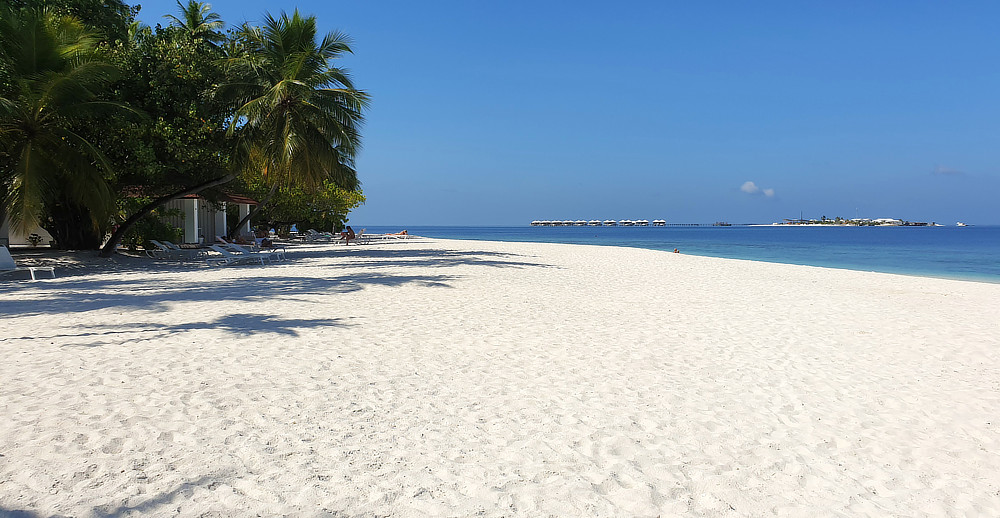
pixel 497 113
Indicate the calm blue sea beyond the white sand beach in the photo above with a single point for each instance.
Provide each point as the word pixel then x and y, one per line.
pixel 971 253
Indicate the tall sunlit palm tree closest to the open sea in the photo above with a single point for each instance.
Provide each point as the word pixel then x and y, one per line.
pixel 297 117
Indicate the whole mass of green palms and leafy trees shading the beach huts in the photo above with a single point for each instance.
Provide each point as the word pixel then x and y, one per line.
pixel 259 109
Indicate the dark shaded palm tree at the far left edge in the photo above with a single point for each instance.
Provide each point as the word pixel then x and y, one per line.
pixel 56 82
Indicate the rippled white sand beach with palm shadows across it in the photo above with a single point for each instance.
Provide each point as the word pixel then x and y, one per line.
pixel 468 378
